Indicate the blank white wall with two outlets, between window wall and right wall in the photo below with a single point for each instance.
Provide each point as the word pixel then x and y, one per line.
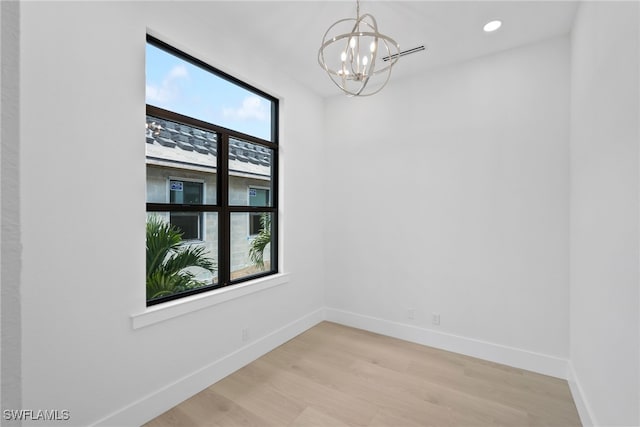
pixel 448 193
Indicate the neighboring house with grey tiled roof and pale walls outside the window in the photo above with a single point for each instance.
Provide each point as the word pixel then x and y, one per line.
pixel 179 154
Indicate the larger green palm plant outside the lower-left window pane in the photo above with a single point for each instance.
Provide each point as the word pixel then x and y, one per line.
pixel 168 260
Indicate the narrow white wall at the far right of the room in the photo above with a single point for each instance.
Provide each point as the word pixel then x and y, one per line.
pixel 604 212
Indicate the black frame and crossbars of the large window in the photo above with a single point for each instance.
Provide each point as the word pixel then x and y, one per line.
pixel 222 207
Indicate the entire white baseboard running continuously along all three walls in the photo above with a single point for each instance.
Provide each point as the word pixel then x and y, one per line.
pixel 154 404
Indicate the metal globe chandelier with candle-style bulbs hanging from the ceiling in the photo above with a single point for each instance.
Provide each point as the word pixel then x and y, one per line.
pixel 356 56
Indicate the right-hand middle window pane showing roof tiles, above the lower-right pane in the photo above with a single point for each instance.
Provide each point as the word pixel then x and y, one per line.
pixel 250 174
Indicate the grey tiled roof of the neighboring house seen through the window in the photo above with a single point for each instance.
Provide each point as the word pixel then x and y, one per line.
pixel 177 145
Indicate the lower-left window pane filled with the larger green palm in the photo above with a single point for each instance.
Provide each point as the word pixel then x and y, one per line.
pixel 175 264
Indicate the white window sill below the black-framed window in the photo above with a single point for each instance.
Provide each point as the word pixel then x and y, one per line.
pixel 169 310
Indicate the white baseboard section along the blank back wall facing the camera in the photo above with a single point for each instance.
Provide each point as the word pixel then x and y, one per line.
pixel 518 358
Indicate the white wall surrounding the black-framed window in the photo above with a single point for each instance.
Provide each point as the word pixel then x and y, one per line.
pixel 82 178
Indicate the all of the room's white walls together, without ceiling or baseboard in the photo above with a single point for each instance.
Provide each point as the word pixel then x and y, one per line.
pixel 446 193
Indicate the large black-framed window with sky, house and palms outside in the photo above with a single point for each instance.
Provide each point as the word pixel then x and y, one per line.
pixel 212 168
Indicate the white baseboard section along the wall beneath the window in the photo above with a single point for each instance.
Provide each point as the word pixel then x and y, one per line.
pixel 159 401
